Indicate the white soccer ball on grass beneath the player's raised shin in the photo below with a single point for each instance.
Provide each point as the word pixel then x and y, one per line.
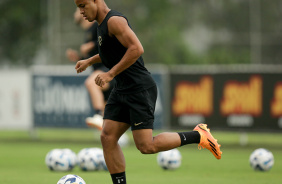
pixel 169 160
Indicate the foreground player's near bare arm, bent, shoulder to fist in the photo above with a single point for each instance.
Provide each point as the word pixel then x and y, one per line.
pixel 119 28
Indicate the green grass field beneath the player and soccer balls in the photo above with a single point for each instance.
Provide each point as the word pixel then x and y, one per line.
pixel 22 160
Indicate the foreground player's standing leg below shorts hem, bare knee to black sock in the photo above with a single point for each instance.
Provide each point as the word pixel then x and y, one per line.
pixel 112 131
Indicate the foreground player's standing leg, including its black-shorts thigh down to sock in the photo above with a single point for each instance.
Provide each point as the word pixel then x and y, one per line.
pixel 113 128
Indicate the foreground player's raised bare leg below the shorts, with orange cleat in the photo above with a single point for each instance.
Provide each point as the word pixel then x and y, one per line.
pixel 147 144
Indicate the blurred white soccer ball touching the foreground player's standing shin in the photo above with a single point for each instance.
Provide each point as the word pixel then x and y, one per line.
pixel 91 159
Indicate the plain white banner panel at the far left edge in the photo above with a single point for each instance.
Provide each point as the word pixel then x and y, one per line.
pixel 15 106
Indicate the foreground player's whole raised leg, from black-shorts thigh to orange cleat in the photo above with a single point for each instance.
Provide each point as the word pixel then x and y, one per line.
pixel 142 113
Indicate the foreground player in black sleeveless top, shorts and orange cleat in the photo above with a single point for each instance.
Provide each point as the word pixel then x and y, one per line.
pixel 132 101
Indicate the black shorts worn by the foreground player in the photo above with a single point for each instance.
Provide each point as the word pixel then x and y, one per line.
pixel 136 109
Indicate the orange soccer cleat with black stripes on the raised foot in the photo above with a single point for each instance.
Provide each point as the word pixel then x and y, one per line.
pixel 208 141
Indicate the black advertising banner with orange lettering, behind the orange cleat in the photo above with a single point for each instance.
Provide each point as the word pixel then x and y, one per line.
pixel 242 100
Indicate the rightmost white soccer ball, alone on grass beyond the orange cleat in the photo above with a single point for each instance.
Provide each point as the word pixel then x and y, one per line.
pixel 261 159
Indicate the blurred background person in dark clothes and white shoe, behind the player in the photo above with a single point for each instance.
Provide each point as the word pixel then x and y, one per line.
pixel 98 94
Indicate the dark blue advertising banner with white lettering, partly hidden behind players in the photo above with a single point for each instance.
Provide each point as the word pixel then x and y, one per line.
pixel 62 100
